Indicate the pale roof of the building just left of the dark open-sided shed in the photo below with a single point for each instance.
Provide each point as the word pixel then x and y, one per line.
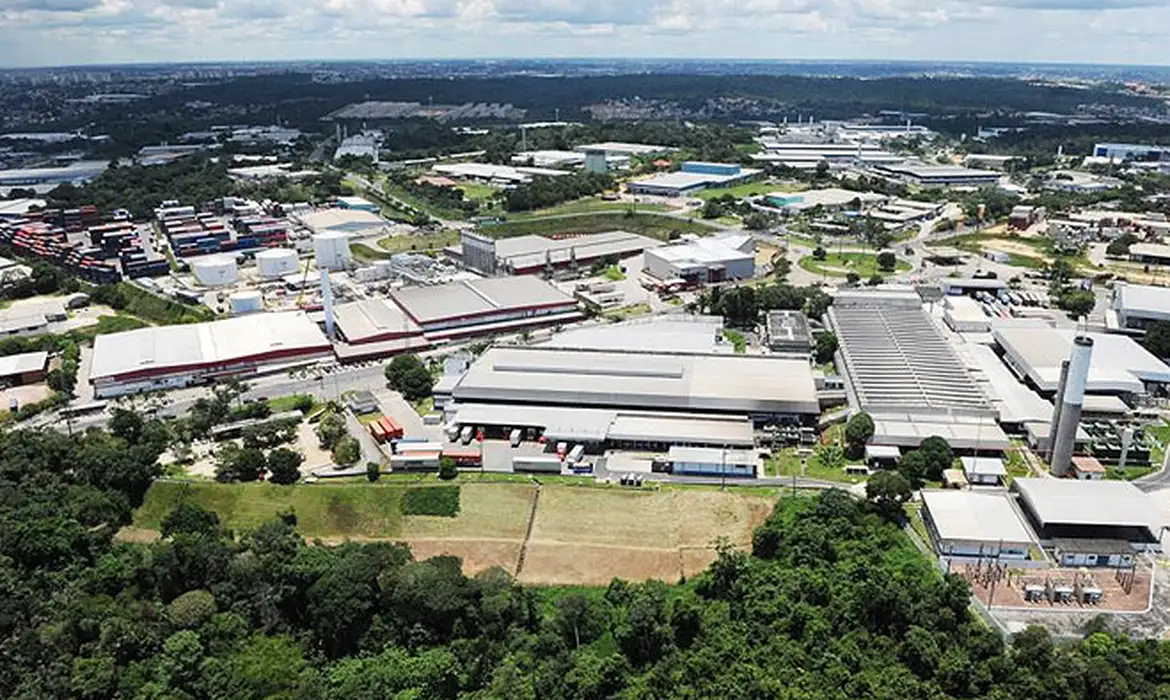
pixel 972 517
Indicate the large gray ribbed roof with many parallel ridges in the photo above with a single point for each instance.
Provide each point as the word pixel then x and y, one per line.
pixel 897 360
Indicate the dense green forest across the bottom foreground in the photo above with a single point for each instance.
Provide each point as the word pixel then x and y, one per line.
pixel 832 603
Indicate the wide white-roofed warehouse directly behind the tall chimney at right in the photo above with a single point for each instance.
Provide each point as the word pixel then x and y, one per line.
pixel 1119 367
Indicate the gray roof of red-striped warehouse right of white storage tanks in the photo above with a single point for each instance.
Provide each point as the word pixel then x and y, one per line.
pixel 476 298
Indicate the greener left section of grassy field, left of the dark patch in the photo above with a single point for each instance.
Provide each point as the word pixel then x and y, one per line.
pixel 322 510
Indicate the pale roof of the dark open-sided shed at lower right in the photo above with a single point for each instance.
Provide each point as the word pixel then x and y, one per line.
pixel 1084 503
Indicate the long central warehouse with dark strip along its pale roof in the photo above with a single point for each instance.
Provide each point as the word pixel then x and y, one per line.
pixel 763 388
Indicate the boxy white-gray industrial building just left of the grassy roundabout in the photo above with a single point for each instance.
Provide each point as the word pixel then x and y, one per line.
pixel 705 260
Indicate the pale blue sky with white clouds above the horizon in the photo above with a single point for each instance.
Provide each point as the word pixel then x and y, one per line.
pixel 74 32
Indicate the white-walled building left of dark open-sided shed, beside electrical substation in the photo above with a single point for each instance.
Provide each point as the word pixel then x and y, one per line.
pixel 966 524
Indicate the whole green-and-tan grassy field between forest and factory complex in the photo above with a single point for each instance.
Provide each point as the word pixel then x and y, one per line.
pixel 582 537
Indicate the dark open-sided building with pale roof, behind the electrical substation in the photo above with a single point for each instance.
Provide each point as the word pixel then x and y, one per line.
pixel 1082 510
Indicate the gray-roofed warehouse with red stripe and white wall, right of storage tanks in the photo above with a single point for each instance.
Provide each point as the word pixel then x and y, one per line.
pixel 484 307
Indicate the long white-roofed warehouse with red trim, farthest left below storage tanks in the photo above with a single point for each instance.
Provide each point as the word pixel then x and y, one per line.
pixel 174 356
